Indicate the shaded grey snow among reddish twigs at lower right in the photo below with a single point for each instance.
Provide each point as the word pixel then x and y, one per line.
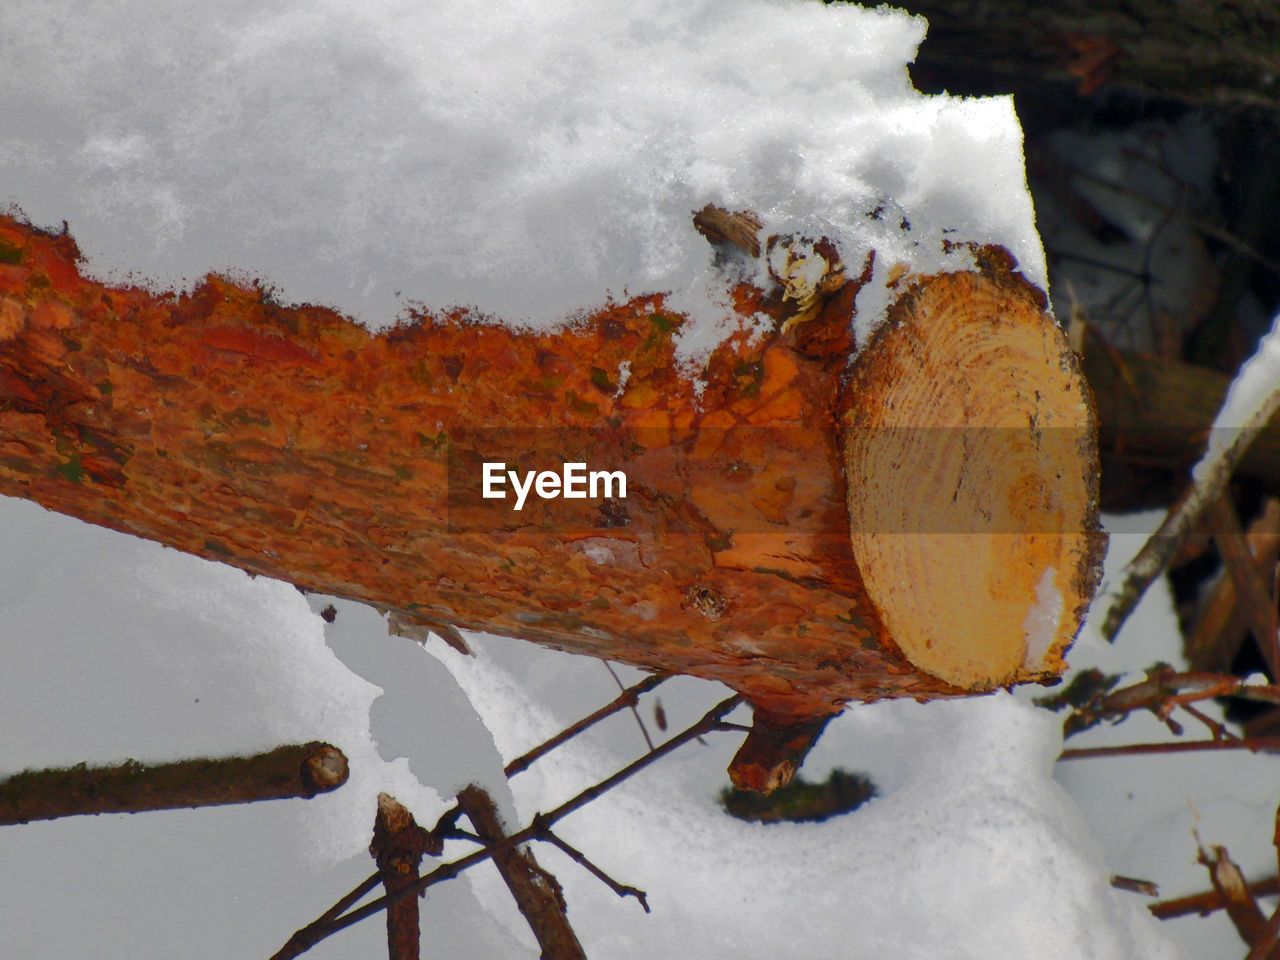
pixel 1146 810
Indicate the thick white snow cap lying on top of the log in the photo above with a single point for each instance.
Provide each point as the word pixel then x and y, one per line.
pixel 529 159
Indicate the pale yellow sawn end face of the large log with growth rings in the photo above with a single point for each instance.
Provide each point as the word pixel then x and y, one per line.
pixel 972 519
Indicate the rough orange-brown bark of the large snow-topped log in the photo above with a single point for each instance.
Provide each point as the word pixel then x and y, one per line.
pixel 295 444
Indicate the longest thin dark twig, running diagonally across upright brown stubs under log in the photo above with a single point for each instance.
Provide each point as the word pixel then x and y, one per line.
pixel 313 934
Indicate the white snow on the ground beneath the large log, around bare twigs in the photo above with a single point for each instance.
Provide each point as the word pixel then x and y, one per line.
pixel 117 648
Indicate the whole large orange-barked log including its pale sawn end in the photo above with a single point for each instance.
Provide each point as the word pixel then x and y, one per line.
pixel 298 445
